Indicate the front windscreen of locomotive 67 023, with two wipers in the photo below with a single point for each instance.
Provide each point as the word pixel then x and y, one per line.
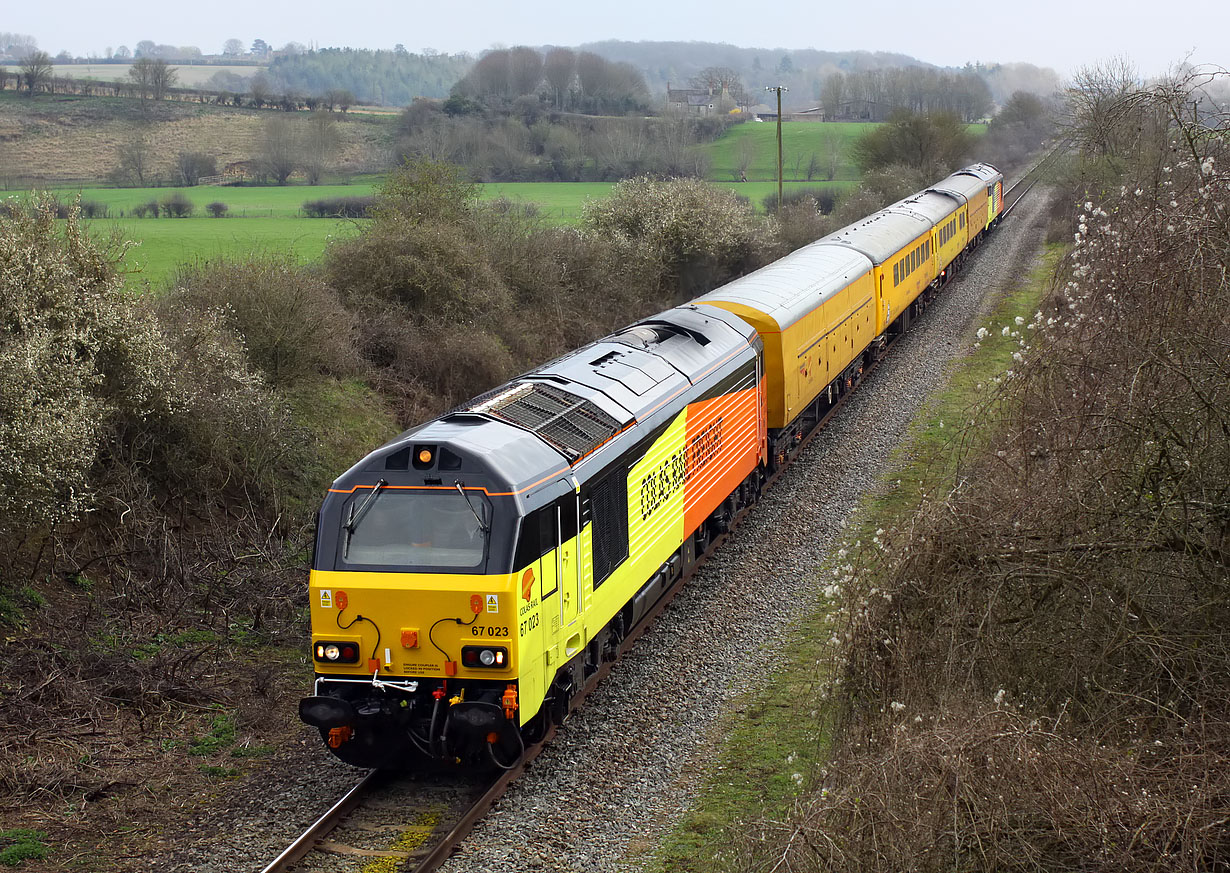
pixel 416 531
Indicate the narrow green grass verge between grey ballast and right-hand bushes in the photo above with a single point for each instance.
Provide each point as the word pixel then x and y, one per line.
pixel 774 737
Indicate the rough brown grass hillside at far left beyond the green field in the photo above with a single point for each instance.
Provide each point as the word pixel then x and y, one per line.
pixel 66 140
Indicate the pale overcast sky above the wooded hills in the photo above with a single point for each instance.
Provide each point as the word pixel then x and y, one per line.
pixel 1058 34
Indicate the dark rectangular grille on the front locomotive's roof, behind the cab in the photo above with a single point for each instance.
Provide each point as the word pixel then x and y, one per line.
pixel 571 424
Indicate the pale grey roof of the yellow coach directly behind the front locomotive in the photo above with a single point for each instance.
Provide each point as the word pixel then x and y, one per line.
pixel 792 288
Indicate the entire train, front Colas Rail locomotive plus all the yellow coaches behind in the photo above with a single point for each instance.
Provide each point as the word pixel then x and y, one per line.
pixel 474 574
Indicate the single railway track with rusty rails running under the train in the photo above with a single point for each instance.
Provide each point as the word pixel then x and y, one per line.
pixel 391 823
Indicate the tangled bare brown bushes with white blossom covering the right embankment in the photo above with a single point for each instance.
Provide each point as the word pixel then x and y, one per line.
pixel 1026 658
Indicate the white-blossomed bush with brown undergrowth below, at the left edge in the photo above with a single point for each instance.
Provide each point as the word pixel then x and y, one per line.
pixel 148 484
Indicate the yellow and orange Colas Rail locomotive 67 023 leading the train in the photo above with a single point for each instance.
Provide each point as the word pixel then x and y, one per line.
pixel 472 576
